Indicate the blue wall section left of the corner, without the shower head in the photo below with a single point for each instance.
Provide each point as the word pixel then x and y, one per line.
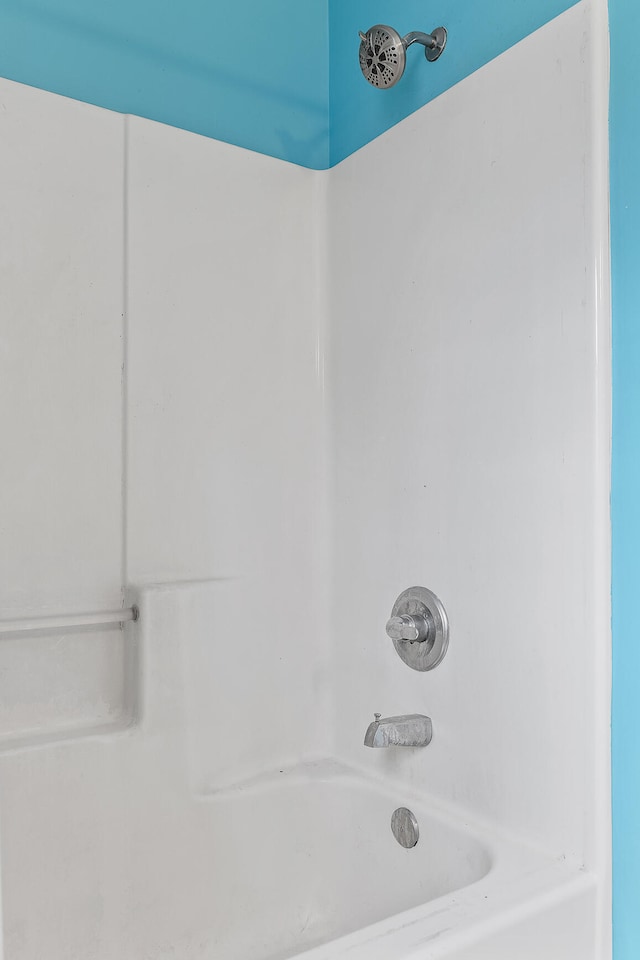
pixel 251 72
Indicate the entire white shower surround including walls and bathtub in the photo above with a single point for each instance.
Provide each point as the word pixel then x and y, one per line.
pixel 338 384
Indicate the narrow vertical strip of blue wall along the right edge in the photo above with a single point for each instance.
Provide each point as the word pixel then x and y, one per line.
pixel 624 17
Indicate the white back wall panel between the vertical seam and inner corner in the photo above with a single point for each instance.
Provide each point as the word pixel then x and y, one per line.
pixel 225 472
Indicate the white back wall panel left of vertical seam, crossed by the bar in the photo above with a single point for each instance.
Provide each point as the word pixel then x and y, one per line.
pixel 61 302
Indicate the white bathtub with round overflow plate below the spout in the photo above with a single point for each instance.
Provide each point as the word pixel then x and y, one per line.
pixel 301 862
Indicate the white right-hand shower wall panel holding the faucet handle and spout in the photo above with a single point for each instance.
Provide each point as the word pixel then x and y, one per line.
pixel 469 372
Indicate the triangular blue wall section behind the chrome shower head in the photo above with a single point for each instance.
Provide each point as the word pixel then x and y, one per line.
pixel 478 32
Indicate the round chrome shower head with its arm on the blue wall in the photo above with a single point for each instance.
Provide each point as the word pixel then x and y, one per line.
pixel 383 52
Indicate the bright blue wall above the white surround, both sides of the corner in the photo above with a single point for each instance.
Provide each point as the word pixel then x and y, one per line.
pixel 277 76
